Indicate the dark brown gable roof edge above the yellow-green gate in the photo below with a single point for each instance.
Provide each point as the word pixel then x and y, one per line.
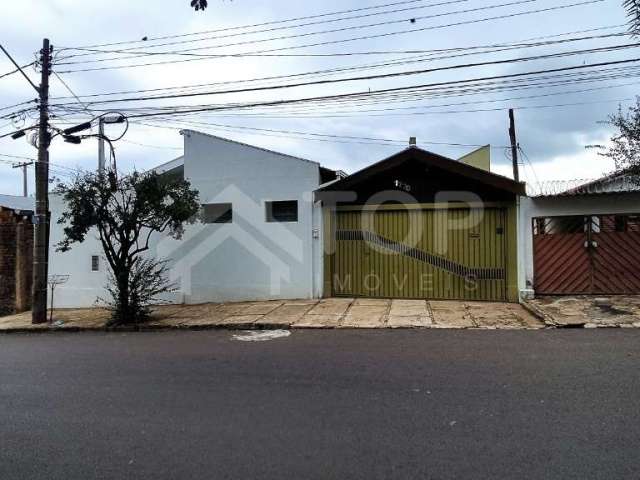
pixel 429 159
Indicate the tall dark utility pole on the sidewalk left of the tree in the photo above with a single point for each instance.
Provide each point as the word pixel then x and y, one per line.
pixel 41 219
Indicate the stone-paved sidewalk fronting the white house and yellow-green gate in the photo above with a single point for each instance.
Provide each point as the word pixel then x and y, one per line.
pixel 324 313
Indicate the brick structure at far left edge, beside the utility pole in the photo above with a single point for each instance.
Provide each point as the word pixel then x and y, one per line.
pixel 16 253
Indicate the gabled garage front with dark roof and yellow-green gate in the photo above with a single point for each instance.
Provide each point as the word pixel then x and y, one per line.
pixel 420 225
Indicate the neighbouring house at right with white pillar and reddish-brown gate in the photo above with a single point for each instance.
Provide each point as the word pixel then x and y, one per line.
pixel 582 240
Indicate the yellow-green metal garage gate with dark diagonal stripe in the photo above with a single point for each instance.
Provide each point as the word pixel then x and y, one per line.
pixel 421 253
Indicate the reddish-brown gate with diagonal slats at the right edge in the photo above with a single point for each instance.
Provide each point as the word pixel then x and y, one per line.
pixel 597 254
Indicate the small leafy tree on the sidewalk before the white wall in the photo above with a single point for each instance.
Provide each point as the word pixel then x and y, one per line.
pixel 126 213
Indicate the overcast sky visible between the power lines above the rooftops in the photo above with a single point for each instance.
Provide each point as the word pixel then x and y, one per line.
pixel 553 137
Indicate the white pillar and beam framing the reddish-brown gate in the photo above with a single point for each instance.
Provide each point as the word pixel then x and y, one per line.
pixel 532 207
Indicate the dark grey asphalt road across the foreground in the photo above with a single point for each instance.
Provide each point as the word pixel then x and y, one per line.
pixel 321 404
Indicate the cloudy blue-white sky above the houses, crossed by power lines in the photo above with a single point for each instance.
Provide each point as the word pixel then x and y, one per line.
pixel 556 116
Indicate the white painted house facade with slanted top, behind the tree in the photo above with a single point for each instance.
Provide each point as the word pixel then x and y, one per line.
pixel 247 259
